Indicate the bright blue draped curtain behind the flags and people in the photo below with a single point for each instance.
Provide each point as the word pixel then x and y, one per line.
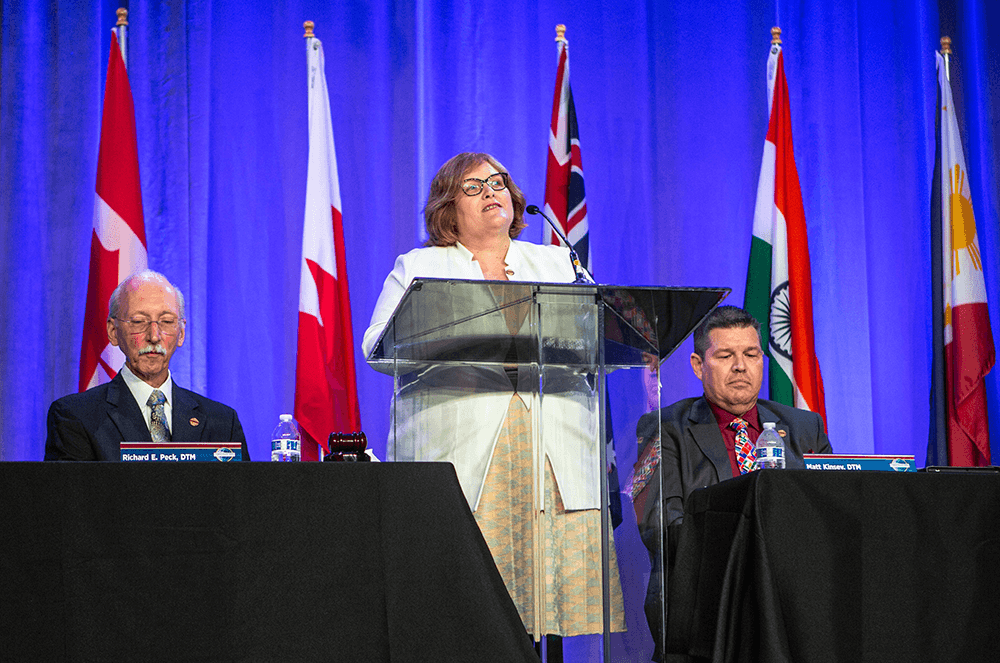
pixel 672 111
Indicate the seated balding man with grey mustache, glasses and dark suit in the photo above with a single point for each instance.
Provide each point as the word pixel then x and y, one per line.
pixel 142 403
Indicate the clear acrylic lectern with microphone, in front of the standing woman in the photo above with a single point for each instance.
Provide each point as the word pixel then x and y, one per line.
pixel 477 364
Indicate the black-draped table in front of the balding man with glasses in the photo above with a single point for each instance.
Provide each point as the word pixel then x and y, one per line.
pixel 247 562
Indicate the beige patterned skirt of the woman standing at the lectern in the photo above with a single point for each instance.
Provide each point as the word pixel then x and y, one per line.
pixel 571 540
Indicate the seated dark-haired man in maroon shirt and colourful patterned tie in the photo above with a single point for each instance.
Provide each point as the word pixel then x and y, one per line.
pixel 699 442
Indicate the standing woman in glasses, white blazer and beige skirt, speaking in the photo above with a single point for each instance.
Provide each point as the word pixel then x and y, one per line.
pixel 480 418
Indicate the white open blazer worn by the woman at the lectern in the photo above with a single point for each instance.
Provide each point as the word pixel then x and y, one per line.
pixel 461 424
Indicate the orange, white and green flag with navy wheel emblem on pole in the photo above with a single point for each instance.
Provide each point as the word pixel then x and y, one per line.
pixel 779 284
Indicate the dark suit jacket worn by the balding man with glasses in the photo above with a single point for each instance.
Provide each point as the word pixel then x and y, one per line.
pixel 92 425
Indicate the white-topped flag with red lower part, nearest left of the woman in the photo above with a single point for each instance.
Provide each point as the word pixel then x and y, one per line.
pixel 326 393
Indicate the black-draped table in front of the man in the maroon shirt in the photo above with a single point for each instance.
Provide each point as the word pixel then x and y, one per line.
pixel 838 566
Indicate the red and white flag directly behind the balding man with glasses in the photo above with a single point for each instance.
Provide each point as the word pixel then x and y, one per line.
pixel 118 242
